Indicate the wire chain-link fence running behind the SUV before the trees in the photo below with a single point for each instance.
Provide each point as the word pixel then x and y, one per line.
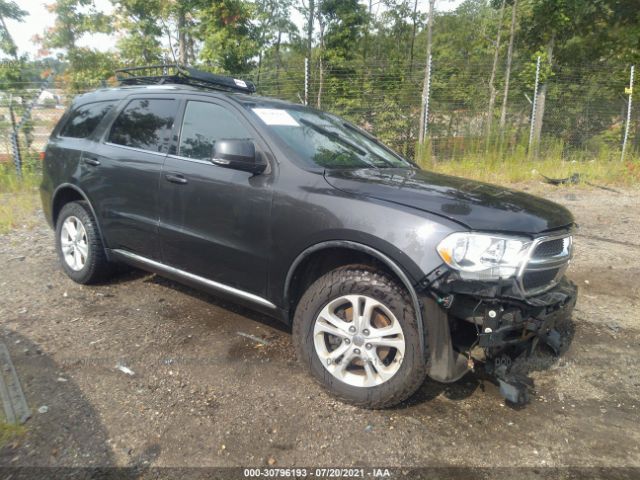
pixel 583 110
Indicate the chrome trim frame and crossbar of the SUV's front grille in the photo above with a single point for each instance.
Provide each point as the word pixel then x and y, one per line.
pixel 532 263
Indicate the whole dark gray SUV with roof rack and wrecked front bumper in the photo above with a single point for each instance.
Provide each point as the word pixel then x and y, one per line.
pixel 386 272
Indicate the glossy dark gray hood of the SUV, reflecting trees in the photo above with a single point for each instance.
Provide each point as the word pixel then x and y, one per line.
pixel 476 205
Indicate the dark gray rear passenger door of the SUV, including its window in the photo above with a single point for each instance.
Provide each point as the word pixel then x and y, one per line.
pixel 123 173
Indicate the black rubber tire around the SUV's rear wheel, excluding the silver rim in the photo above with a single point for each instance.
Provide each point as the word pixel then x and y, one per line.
pixel 96 267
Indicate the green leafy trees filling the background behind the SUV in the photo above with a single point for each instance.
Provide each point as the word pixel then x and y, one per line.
pixel 369 60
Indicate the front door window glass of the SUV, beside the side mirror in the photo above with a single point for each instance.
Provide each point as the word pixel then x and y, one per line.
pixel 203 124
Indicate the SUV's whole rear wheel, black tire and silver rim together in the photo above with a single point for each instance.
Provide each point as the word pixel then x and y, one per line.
pixel 79 244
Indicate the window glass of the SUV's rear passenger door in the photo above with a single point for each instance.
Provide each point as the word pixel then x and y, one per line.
pixel 145 124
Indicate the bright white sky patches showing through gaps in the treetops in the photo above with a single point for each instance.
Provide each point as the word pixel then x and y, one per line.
pixel 39 19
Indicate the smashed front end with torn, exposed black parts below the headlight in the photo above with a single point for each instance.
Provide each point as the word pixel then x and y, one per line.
pixel 472 323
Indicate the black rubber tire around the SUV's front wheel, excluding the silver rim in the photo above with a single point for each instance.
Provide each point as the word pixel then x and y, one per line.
pixel 356 279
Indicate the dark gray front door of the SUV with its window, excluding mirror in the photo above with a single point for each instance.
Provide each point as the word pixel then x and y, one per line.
pixel 215 222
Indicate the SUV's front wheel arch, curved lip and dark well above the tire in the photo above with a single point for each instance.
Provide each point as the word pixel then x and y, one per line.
pixel 304 261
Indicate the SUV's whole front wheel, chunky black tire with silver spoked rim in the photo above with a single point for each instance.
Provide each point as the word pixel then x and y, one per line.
pixel 356 332
